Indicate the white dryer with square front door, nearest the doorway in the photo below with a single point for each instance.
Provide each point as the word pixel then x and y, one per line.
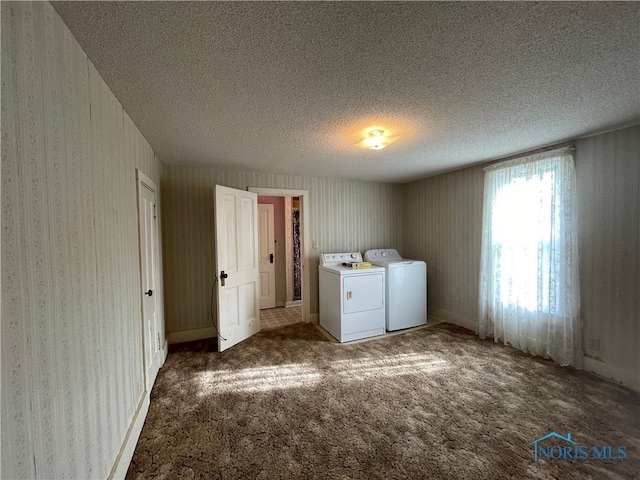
pixel 351 300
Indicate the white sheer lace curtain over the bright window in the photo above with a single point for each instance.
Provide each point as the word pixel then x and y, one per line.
pixel 529 287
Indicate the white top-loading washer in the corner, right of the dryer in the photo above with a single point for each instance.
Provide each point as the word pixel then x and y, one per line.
pixel 406 291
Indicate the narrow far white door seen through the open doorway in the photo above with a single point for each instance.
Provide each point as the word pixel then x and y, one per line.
pixel 266 255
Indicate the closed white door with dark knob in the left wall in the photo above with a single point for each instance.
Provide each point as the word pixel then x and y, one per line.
pixel 148 240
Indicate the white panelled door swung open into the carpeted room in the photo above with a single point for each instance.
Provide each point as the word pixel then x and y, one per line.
pixel 236 223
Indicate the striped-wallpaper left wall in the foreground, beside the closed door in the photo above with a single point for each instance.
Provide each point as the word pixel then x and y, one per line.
pixel 72 373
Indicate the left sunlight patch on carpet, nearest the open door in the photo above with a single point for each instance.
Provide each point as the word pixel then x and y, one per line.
pixel 259 379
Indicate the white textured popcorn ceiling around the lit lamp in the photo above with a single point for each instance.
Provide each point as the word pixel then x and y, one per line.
pixel 288 87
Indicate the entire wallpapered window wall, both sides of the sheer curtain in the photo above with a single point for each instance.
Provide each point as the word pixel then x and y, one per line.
pixel 443 224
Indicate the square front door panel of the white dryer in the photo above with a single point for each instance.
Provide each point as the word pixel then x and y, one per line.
pixel 361 293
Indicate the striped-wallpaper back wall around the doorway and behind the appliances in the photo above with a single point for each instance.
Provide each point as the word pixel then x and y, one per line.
pixel 345 215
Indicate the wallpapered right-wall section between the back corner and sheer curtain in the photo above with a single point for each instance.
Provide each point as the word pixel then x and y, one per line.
pixel 443 226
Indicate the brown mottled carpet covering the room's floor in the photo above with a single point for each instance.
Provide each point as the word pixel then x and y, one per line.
pixel 433 403
